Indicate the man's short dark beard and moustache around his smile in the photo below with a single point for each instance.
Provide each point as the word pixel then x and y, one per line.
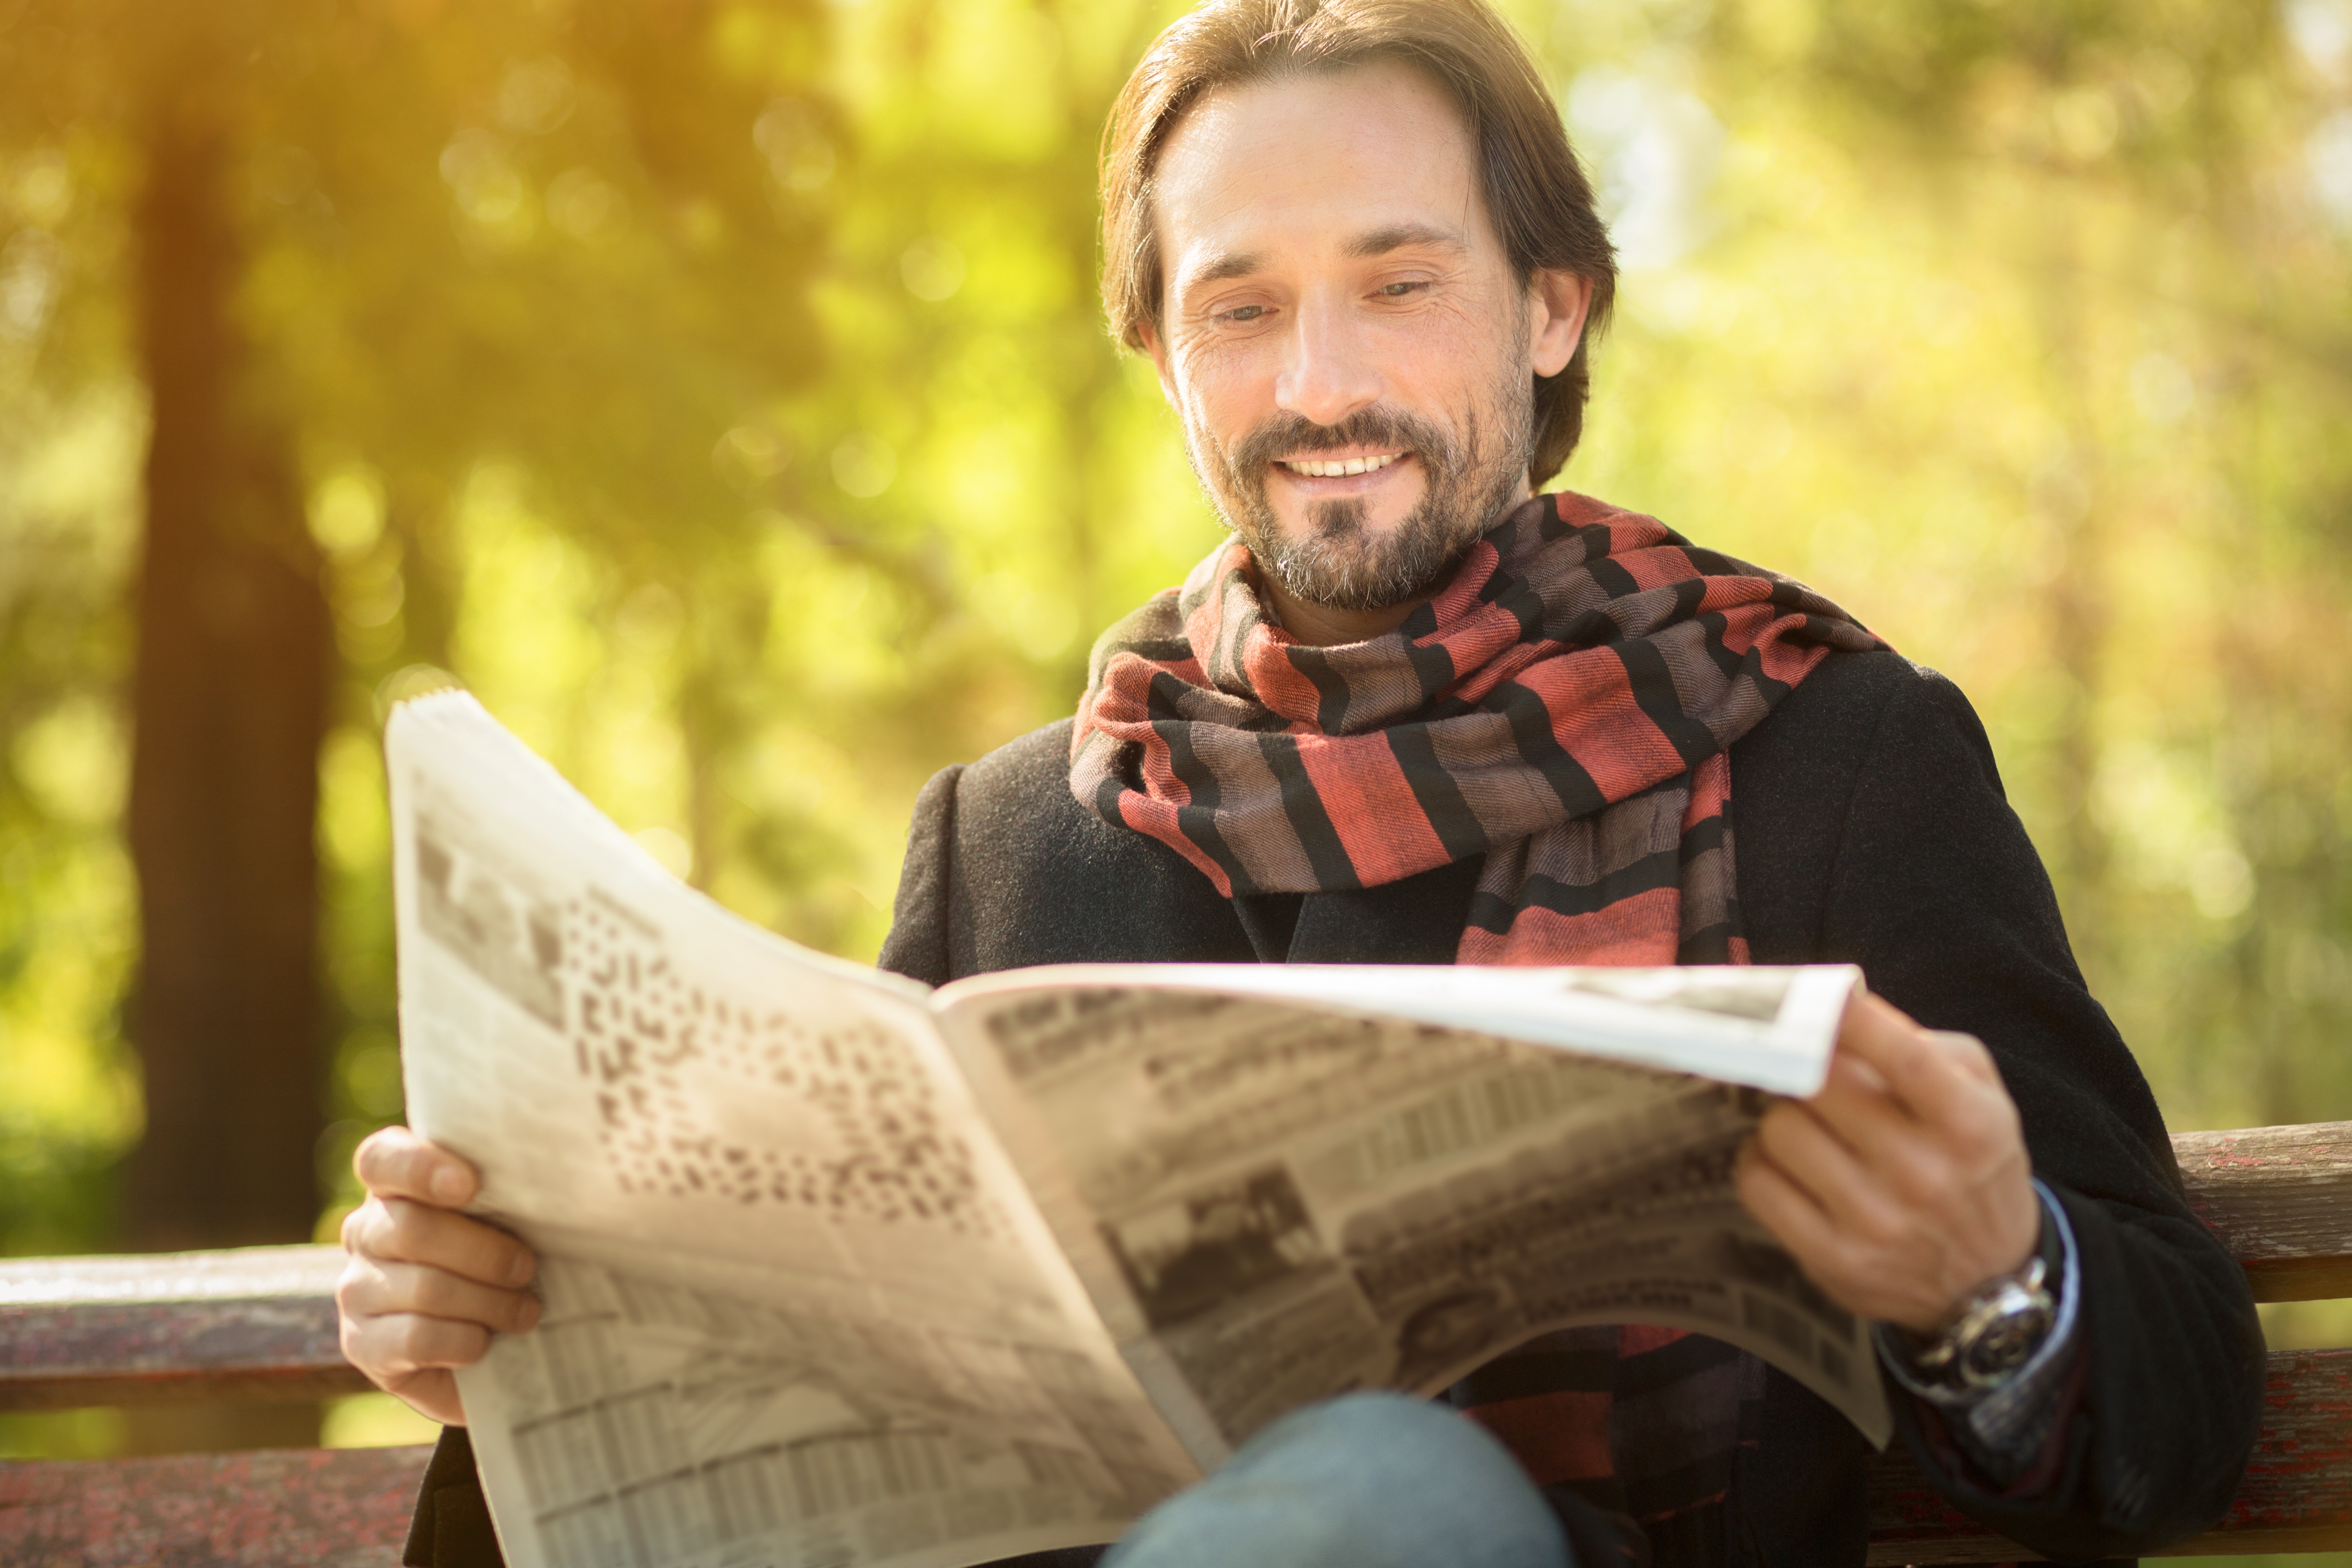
pixel 1469 476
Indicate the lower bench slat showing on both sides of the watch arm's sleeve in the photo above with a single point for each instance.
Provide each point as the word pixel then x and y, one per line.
pixel 2297 1494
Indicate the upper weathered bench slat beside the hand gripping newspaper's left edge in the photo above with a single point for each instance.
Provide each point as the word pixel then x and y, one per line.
pixel 173 1327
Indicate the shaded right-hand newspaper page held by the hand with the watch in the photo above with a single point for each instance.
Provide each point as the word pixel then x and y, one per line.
pixel 1285 1195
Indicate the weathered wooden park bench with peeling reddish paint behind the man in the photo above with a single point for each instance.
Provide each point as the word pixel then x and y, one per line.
pixel 260 1325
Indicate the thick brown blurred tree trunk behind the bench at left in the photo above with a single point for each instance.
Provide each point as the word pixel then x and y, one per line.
pixel 229 709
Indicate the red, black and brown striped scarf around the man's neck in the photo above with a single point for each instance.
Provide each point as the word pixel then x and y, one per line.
pixel 1563 709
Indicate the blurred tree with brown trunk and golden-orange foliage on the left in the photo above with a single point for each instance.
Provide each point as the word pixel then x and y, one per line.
pixel 347 272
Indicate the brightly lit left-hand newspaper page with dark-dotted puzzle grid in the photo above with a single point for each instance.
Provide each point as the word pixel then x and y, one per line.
pixel 799 1308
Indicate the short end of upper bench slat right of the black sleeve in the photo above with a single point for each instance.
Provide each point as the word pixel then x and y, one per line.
pixel 2280 1198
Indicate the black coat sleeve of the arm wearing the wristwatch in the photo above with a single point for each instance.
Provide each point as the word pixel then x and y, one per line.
pixel 1937 892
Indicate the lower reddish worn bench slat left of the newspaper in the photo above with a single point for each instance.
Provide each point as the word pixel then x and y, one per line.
pixel 338 1508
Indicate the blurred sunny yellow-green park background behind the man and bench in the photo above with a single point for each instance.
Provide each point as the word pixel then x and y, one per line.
pixel 716 389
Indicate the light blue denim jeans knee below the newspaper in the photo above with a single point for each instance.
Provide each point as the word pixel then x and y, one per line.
pixel 1361 1482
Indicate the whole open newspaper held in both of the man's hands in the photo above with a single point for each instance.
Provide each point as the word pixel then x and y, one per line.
pixel 843 1271
